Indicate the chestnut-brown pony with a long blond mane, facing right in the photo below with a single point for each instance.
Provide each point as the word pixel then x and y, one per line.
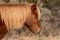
pixel 14 16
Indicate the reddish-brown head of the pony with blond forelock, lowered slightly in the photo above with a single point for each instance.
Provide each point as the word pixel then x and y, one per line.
pixel 32 21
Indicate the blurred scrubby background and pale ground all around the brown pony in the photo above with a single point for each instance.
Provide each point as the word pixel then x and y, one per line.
pixel 50 21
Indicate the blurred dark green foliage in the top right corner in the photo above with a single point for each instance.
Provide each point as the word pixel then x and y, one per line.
pixel 52 5
